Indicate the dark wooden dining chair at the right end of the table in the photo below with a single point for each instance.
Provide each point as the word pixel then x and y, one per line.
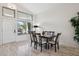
pixel 55 41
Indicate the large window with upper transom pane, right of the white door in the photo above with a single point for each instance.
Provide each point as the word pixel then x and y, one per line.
pixel 24 23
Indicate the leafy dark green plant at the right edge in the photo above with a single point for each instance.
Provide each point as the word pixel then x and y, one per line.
pixel 75 23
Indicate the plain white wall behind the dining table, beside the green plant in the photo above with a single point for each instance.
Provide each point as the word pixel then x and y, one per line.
pixel 57 19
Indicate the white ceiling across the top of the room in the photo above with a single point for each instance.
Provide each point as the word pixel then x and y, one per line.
pixel 40 7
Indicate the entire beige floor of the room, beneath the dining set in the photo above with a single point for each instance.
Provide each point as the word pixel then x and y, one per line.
pixel 23 48
